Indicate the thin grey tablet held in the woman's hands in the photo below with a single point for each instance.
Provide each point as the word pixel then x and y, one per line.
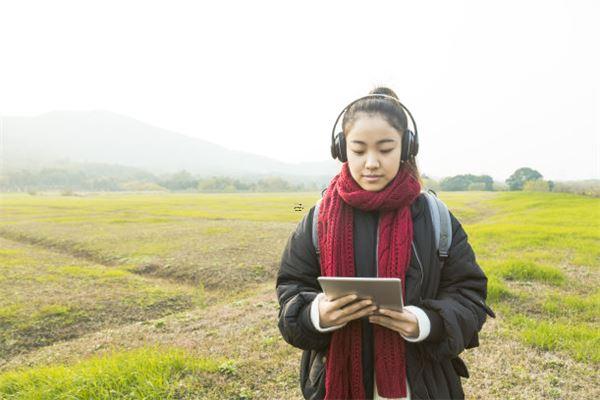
pixel 385 292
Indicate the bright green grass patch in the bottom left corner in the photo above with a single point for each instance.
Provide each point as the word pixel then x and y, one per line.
pixel 146 373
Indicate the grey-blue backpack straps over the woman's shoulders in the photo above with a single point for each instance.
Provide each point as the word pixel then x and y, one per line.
pixel 440 216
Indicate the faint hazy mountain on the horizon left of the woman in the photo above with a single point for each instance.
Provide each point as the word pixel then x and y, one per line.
pixel 106 137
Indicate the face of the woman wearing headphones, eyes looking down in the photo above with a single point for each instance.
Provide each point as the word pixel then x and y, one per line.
pixel 373 149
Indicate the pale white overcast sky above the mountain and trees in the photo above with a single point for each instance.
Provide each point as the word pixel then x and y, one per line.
pixel 493 86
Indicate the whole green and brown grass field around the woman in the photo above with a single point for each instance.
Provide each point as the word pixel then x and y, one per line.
pixel 172 295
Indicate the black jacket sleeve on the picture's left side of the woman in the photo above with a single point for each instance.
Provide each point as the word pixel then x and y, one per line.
pixel 297 287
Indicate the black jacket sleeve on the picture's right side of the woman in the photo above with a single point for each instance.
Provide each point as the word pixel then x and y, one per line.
pixel 459 311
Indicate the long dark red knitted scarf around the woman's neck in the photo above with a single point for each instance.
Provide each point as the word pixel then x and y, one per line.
pixel 343 379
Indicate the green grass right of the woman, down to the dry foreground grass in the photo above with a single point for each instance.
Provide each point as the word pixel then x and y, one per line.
pixel 527 239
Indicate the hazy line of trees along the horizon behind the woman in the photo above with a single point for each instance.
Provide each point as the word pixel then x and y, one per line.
pixel 105 177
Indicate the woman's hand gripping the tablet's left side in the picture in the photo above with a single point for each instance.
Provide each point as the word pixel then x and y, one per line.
pixel 339 311
